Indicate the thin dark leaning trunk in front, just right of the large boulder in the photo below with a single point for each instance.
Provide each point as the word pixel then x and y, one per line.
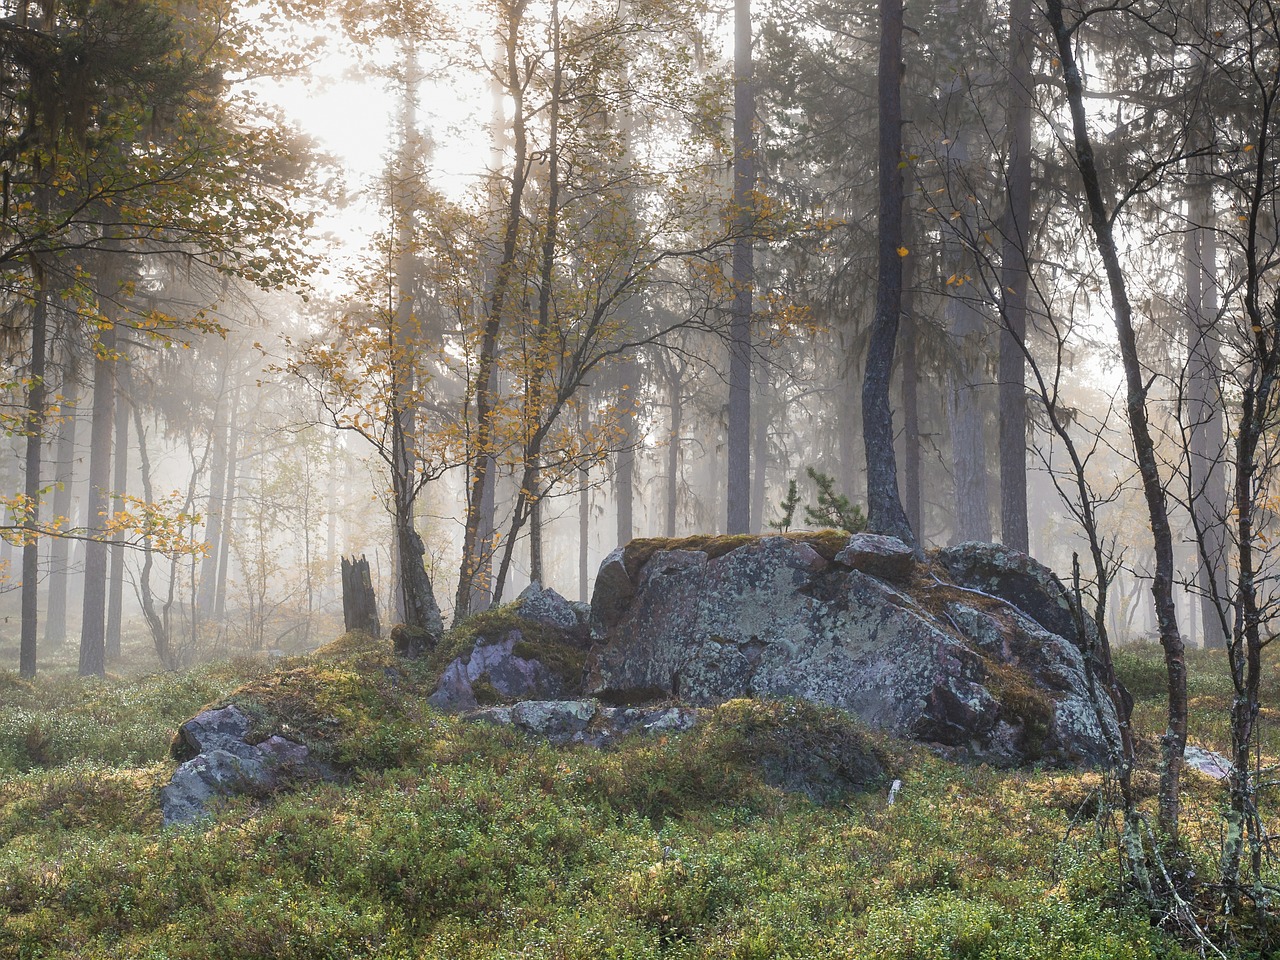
pixel 1174 742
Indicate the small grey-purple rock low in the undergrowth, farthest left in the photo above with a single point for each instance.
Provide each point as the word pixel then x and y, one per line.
pixel 218 762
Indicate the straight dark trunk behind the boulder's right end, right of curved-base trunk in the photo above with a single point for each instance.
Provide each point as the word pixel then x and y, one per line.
pixel 1014 281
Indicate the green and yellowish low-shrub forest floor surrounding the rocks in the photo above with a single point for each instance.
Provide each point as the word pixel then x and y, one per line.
pixel 446 839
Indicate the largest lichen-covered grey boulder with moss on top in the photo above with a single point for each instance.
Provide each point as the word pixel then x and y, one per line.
pixel 862 629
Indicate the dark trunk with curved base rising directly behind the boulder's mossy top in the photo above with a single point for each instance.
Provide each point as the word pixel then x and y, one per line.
pixel 885 513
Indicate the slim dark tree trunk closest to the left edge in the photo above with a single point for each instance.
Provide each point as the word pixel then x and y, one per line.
pixel 35 428
